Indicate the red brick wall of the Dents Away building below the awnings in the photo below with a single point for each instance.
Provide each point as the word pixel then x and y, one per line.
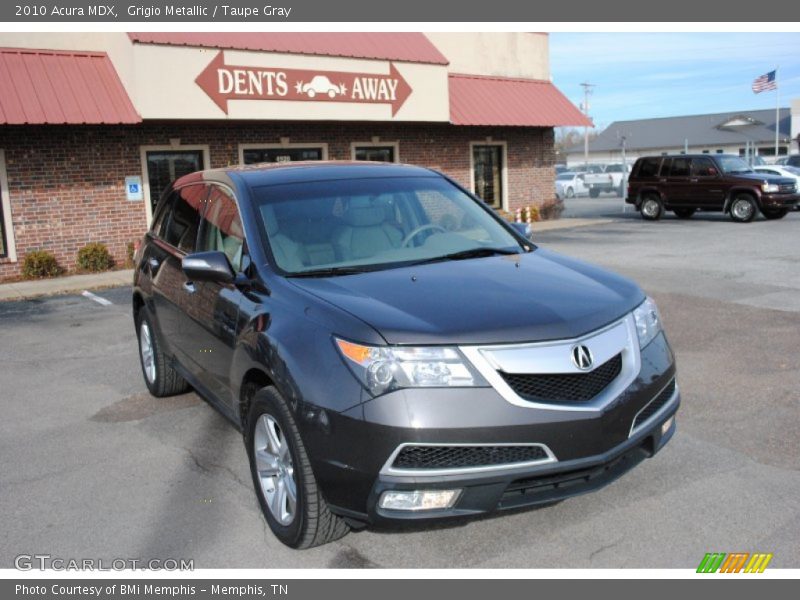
pixel 66 183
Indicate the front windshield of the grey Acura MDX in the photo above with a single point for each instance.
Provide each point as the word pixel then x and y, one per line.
pixel 353 225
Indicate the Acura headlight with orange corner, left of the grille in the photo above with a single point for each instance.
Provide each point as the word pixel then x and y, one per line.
pixel 385 368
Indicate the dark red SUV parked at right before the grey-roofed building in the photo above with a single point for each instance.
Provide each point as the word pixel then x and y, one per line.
pixel 685 183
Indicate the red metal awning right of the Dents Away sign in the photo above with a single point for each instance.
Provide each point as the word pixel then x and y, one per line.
pixel 481 100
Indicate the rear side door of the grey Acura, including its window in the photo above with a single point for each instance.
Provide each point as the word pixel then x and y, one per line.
pixel 172 294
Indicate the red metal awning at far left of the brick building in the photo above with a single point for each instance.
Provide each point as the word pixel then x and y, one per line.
pixel 45 86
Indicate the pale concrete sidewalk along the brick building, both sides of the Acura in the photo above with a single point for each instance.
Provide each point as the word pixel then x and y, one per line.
pixel 77 283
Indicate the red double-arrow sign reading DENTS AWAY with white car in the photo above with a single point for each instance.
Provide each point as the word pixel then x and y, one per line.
pixel 224 82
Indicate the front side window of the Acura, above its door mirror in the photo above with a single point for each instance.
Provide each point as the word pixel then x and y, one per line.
pixel 222 226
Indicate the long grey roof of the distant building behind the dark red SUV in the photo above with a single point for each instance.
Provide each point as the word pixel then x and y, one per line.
pixel 717 129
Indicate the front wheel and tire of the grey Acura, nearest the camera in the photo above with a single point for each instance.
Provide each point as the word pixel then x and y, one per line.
pixel 274 446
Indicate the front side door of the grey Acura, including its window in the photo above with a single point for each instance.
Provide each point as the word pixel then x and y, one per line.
pixel 218 303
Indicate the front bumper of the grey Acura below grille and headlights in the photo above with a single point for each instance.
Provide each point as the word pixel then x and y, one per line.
pixel 590 448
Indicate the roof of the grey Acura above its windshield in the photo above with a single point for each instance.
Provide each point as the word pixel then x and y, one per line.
pixel 304 171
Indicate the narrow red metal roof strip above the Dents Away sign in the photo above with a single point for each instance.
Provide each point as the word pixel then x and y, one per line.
pixel 398 46
